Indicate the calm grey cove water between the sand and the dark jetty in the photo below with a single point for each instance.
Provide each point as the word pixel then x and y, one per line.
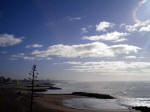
pixel 94 104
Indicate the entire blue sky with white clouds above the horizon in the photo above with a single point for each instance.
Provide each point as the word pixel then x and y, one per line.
pixel 85 40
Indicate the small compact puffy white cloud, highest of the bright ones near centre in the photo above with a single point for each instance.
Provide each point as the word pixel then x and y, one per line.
pixel 103 26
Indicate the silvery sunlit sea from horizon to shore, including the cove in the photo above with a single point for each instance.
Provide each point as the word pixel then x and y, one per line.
pixel 127 93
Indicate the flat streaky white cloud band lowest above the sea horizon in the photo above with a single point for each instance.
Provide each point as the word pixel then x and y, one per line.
pixel 109 66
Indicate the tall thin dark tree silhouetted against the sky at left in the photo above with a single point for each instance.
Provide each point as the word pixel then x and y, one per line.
pixel 33 75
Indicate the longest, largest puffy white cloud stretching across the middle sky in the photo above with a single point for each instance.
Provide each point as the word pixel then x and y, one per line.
pixel 95 49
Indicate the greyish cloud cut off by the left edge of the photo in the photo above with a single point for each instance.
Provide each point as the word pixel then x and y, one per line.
pixel 9 40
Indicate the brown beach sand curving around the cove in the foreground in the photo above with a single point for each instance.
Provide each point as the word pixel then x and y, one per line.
pixel 54 102
